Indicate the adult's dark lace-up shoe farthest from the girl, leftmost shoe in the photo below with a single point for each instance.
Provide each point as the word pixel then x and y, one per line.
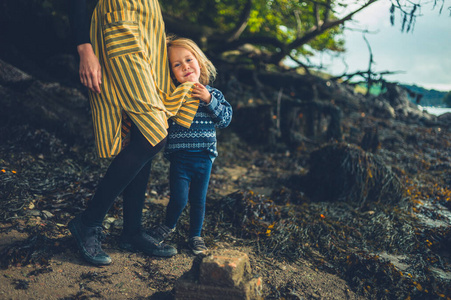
pixel 88 240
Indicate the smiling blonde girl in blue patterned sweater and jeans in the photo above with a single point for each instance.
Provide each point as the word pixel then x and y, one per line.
pixel 191 151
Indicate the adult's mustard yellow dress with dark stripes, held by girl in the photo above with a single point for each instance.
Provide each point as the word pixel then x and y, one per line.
pixel 129 40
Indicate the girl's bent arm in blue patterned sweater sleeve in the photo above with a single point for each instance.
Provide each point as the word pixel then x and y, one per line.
pixel 220 110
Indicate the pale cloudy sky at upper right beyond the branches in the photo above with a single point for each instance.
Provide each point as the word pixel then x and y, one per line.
pixel 422 56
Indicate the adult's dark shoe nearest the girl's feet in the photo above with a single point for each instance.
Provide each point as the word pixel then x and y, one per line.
pixel 142 242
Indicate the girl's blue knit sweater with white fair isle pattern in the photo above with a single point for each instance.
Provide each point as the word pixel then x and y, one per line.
pixel 202 133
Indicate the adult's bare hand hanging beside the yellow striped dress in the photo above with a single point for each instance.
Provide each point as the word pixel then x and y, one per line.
pixel 90 70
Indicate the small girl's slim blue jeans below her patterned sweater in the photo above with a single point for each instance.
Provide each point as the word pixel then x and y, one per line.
pixel 189 175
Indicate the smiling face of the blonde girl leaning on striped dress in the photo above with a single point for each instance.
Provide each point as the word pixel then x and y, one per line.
pixel 184 65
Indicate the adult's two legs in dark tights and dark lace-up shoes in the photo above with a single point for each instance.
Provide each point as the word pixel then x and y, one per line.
pixel 130 169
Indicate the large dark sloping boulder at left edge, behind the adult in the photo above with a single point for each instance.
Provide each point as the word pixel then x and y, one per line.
pixel 45 105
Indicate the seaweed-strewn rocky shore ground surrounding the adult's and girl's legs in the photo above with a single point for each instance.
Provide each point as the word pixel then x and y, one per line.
pixel 382 233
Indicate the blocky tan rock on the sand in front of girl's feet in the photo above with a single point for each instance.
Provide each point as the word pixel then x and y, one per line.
pixel 220 275
